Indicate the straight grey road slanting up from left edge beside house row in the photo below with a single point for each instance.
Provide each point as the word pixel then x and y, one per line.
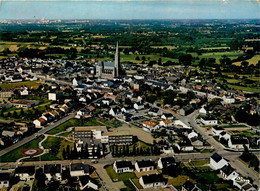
pixel 39 133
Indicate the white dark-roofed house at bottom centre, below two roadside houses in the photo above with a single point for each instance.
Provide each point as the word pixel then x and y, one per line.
pixel 152 181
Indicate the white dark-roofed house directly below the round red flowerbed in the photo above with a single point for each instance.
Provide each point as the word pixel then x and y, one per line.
pixel 25 173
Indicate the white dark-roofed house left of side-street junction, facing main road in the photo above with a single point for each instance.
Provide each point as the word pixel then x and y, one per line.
pixel 80 169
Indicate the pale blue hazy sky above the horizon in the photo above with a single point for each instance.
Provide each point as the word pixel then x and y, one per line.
pixel 128 9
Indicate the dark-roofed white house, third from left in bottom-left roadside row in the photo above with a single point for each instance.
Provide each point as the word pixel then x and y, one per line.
pixel 52 172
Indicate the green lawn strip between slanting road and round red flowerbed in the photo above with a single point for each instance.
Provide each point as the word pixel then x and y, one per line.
pixel 17 153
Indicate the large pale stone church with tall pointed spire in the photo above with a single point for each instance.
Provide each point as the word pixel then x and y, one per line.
pixel 109 70
